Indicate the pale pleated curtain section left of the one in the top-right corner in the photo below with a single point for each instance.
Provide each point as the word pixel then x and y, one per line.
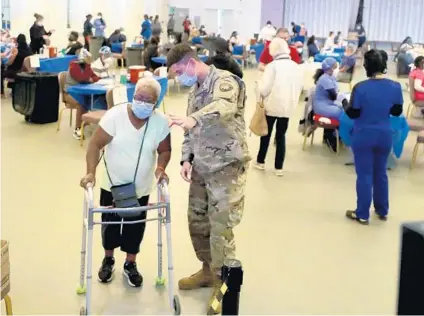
pixel 320 16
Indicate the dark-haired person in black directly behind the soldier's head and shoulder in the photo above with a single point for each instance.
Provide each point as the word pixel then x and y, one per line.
pixel 223 59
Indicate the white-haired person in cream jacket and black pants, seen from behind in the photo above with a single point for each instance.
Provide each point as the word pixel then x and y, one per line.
pixel 280 87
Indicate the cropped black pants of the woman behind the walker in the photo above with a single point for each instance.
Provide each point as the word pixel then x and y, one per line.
pixel 129 236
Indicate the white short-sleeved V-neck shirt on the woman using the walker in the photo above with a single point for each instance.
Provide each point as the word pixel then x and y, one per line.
pixel 122 152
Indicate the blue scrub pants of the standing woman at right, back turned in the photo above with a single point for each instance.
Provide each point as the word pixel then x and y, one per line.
pixel 371 149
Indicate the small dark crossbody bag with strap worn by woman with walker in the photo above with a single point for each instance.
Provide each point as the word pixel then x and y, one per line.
pixel 125 195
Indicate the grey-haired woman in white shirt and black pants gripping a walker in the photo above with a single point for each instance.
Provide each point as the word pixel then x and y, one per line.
pixel 136 142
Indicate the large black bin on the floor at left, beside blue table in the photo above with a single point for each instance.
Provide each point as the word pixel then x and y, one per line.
pixel 36 96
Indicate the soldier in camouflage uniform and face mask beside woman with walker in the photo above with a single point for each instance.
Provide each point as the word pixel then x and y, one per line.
pixel 214 160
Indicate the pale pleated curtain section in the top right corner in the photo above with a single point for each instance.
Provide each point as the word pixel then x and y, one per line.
pixel 394 20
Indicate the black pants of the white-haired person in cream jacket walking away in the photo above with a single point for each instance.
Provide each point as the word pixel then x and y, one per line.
pixel 280 141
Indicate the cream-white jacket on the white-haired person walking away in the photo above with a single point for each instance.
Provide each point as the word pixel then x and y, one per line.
pixel 281 86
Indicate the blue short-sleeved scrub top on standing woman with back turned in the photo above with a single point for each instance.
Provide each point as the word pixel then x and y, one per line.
pixel 375 106
